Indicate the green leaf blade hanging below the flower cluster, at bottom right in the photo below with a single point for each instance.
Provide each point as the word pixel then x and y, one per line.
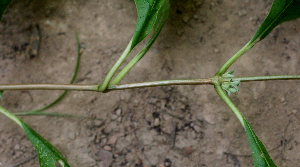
pixel 259 153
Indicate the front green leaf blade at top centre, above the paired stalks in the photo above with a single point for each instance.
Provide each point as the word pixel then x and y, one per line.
pixel 147 11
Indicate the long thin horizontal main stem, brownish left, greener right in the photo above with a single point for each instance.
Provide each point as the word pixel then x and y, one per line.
pixel 206 81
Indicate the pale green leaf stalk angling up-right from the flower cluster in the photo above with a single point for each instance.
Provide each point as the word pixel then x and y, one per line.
pixel 229 62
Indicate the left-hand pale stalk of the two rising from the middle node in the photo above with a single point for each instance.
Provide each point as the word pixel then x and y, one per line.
pixel 114 69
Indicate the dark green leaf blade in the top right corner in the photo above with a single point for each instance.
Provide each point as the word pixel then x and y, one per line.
pixel 281 11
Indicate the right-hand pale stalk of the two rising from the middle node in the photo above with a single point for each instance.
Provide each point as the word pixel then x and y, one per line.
pixel 127 68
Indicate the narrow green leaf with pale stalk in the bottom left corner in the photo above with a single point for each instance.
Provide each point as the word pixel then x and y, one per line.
pixel 48 155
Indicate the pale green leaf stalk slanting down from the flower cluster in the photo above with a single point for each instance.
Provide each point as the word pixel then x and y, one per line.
pixel 228 102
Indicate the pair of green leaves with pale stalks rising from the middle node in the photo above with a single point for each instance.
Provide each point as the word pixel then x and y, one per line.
pixel 151 14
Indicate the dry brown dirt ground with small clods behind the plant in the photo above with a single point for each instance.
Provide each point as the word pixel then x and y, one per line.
pixel 135 126
